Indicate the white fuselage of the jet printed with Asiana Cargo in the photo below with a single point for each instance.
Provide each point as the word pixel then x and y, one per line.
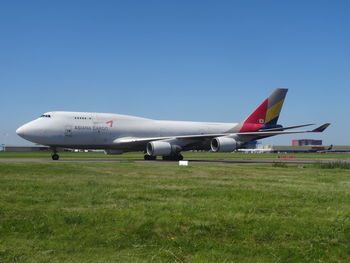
pixel 102 130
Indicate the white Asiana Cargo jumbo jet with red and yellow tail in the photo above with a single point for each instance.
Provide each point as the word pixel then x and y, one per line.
pixel 117 133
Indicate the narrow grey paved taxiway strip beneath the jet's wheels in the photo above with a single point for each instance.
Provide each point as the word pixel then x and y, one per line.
pixel 217 161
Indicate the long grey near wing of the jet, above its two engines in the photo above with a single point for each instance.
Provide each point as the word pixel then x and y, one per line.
pixel 257 135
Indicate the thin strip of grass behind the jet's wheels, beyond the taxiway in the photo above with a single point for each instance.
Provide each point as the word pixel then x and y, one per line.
pixel 187 155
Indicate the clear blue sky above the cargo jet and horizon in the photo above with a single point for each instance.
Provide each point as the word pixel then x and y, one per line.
pixel 178 60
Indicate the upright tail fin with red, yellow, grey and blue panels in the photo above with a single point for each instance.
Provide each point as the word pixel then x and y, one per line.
pixel 266 115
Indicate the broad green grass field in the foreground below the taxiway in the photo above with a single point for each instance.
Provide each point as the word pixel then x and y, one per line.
pixel 134 212
